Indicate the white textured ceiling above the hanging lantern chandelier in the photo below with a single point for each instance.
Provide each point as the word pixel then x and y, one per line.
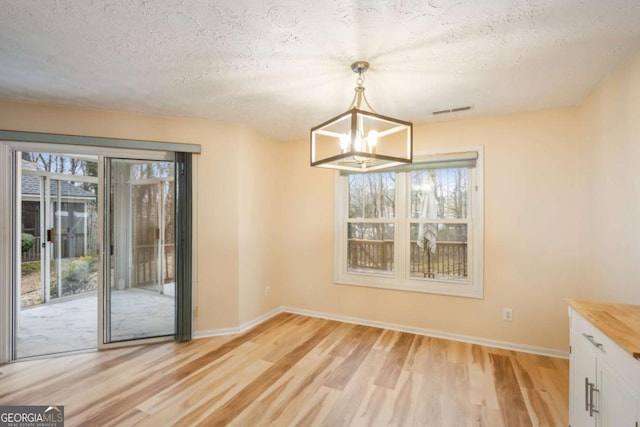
pixel 282 66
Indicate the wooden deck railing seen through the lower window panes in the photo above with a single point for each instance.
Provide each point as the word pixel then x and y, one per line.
pixel 448 261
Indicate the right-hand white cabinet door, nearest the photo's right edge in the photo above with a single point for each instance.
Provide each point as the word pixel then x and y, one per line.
pixel 615 400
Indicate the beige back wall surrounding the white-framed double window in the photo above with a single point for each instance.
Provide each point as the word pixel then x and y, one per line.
pixel 530 241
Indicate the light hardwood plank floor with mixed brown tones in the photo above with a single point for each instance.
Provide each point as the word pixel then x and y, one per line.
pixel 297 370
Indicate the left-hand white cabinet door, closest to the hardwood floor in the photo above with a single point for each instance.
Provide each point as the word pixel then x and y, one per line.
pixel 583 372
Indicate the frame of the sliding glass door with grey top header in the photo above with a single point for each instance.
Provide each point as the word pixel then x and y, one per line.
pixel 11 141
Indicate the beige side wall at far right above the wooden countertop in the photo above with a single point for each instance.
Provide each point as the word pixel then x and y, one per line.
pixel 610 149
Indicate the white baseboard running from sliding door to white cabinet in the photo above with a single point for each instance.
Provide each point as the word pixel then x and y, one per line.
pixel 402 328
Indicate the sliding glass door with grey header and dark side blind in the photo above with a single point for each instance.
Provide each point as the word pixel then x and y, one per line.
pixel 98 247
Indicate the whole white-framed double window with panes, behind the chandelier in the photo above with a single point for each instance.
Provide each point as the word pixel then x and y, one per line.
pixel 416 227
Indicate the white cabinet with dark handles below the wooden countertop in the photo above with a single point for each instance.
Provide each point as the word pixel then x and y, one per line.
pixel 604 379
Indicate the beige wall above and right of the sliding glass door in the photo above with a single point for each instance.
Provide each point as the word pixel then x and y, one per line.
pixel 227 201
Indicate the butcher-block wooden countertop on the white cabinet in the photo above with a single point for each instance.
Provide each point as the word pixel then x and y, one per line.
pixel 619 322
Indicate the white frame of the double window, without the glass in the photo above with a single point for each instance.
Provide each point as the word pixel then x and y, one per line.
pixel 400 279
